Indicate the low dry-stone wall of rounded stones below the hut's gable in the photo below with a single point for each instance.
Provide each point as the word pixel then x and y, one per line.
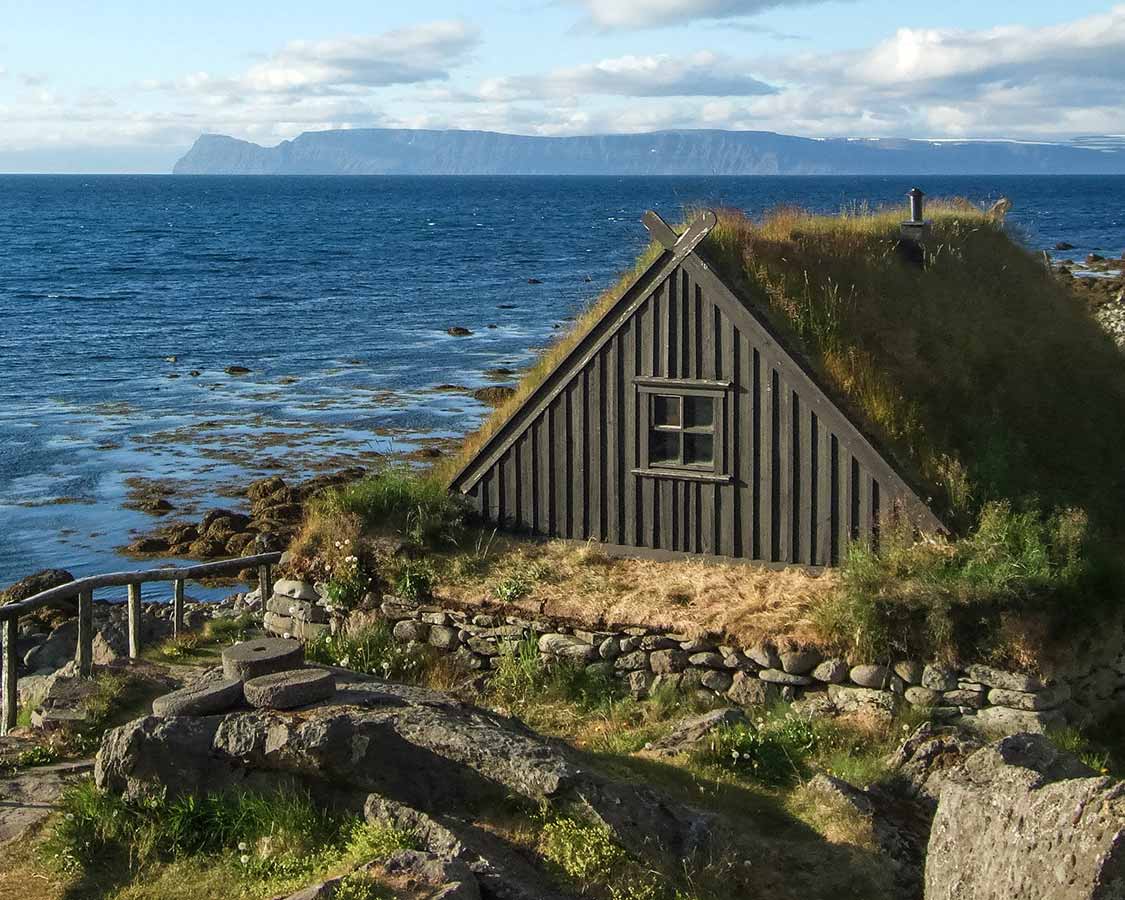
pixel 646 659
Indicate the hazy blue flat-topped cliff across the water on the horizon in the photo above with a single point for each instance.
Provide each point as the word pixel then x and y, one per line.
pixel 403 151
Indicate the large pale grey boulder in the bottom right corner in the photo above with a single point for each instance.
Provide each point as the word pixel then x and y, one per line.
pixel 1021 820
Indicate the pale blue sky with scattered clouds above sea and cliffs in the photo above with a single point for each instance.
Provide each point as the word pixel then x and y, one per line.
pixel 128 87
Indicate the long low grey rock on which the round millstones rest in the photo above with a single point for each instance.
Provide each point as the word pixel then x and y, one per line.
pixel 417 748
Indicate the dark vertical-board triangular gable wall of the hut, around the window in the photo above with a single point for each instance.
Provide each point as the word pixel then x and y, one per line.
pixel 796 481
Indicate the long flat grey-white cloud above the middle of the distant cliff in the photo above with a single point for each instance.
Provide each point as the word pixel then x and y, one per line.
pixel 698 75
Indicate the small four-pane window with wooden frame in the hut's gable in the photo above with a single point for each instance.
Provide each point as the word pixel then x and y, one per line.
pixel 681 428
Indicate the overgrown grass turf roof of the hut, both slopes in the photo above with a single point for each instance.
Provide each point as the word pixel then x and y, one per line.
pixel 978 373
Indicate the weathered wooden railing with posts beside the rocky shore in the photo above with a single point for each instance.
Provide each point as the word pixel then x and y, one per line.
pixel 84 590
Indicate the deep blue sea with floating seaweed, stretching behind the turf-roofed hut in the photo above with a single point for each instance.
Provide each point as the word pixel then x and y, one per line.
pixel 337 294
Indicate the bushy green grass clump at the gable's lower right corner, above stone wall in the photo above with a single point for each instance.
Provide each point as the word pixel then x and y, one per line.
pixel 1018 584
